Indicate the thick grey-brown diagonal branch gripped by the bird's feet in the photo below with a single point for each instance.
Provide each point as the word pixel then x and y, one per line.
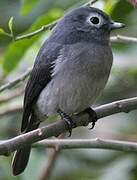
pixel 55 129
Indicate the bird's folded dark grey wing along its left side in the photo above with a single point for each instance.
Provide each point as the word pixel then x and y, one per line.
pixel 39 78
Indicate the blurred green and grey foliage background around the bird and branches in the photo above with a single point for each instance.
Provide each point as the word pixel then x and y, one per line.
pixel 17 57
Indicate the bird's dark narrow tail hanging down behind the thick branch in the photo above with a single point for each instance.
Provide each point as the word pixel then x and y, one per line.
pixel 21 156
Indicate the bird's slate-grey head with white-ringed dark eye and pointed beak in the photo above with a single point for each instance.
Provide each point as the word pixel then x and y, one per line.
pixel 85 24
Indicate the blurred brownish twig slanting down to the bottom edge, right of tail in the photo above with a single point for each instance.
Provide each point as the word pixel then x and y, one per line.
pixel 51 161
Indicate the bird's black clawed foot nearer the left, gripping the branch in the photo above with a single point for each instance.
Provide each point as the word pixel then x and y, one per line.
pixel 68 120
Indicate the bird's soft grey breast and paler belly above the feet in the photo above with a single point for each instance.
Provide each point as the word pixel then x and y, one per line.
pixel 80 74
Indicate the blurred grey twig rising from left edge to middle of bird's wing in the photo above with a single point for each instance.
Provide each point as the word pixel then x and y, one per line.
pixel 16 81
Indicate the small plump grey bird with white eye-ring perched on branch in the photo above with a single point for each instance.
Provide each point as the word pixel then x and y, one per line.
pixel 70 71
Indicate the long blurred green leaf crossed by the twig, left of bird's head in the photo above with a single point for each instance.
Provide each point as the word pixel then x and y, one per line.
pixel 17 49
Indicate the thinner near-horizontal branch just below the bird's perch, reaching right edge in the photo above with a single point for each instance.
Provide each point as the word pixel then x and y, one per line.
pixel 89 143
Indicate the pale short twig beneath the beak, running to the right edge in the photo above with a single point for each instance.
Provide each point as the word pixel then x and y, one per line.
pixel 123 39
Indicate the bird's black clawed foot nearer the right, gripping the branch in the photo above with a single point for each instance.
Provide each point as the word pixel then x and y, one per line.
pixel 92 115
